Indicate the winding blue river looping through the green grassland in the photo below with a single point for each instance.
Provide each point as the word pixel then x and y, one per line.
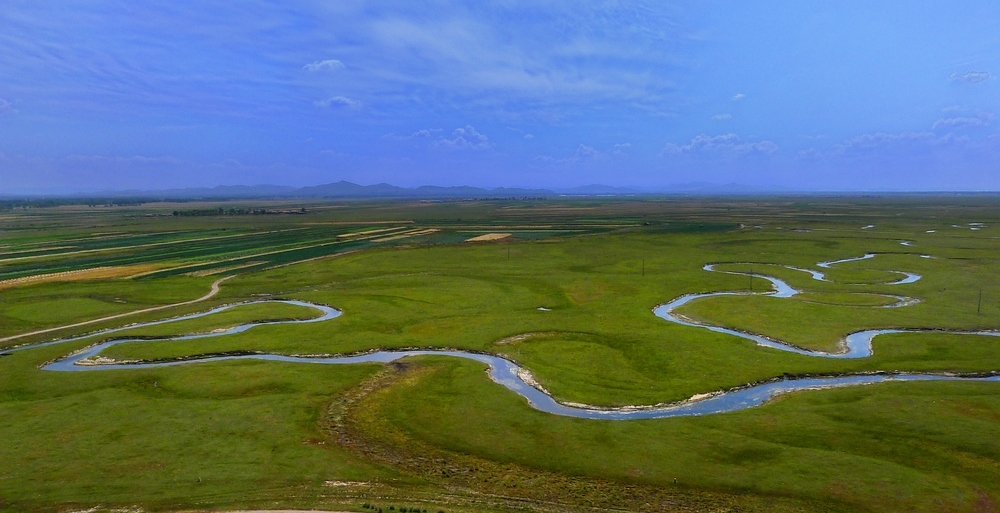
pixel 511 376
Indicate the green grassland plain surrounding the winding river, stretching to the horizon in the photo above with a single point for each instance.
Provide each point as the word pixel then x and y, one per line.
pixel 224 435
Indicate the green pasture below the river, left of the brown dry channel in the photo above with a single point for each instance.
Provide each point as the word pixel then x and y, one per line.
pixel 232 434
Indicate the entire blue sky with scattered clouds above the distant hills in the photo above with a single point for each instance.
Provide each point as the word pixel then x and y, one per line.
pixel 821 95
